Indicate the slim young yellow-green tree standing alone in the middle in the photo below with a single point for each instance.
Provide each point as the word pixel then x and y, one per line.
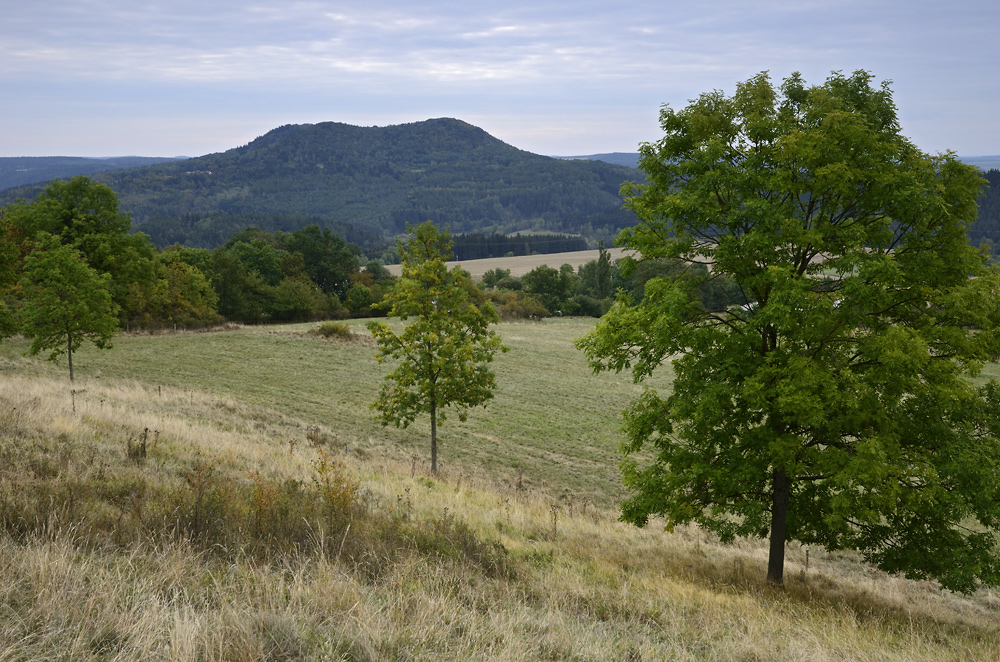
pixel 444 353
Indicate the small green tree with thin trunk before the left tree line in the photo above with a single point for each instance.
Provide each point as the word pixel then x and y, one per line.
pixel 66 301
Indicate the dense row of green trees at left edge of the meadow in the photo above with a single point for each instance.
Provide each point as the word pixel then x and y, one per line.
pixel 71 270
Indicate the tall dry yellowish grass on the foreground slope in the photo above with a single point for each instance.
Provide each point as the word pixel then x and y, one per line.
pixel 578 585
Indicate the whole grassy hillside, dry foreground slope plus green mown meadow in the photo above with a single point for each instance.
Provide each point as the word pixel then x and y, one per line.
pixel 513 553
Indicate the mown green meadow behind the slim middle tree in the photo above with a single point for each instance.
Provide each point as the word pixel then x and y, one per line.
pixel 552 420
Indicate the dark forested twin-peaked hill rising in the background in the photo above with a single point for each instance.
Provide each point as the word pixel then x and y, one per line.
pixel 375 179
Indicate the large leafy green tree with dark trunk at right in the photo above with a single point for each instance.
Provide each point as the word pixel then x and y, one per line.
pixel 836 407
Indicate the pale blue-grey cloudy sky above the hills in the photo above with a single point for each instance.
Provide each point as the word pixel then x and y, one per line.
pixel 192 77
